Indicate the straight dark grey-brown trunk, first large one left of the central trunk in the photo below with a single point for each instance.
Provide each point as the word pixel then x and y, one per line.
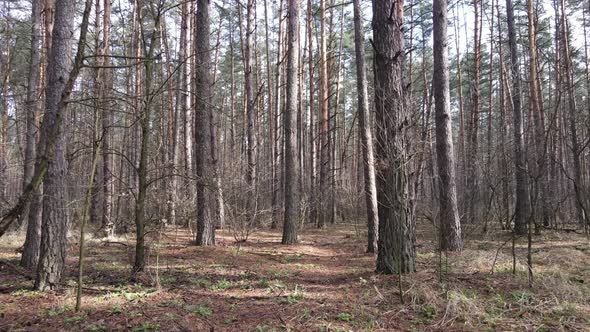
pixel 205 224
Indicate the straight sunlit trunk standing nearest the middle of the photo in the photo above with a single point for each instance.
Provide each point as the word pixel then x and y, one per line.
pixel 291 218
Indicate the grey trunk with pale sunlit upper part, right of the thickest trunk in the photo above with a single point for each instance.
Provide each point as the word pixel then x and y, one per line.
pixel 448 212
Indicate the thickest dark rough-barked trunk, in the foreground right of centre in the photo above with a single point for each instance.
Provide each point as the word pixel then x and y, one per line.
pixel 396 252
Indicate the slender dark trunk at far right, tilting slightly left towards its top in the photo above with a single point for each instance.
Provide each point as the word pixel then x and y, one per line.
pixel 522 196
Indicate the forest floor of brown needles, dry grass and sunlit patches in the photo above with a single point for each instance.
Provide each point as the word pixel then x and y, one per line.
pixel 325 283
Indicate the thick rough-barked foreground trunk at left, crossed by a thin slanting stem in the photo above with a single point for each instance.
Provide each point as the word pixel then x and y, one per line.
pixel 60 81
